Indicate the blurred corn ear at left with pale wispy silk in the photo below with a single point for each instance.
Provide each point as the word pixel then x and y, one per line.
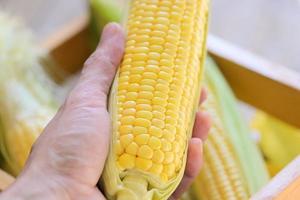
pixel 26 99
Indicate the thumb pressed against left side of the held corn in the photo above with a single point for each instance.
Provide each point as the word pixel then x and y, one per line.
pixel 99 69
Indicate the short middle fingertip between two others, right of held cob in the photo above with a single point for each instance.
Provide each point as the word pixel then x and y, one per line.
pixel 202 125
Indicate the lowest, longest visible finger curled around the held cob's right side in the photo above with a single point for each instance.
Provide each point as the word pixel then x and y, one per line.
pixel 193 165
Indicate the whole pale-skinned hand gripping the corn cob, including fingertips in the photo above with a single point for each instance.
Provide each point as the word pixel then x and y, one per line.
pixel 67 160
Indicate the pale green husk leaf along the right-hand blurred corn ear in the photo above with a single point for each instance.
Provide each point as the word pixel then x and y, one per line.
pixel 247 152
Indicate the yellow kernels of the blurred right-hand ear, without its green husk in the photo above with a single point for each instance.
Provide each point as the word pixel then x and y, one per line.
pixel 221 177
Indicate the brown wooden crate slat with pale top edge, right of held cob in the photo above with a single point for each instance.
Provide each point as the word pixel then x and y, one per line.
pixel 264 85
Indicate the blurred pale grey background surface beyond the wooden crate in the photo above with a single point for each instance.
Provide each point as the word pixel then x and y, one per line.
pixel 269 28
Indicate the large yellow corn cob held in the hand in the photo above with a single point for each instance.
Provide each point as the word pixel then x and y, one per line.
pixel 154 98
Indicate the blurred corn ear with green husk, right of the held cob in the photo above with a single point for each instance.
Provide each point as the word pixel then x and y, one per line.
pixel 226 174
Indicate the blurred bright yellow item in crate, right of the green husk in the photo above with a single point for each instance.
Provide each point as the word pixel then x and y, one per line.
pixel 279 141
